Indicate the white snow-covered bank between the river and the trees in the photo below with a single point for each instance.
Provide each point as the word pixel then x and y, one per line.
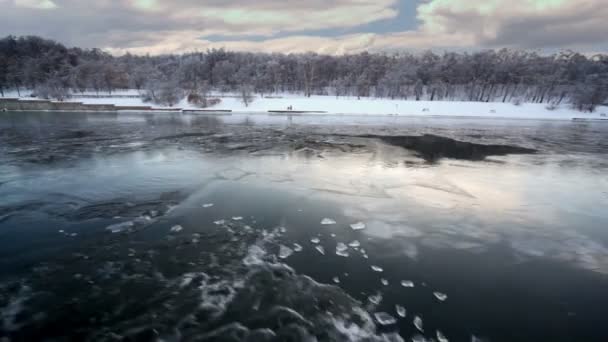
pixel 323 105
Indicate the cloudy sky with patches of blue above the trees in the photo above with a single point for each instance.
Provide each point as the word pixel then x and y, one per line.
pixel 322 26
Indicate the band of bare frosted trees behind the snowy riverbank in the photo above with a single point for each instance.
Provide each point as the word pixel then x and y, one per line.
pixel 505 75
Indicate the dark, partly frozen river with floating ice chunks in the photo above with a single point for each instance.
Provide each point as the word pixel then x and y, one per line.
pixel 170 227
